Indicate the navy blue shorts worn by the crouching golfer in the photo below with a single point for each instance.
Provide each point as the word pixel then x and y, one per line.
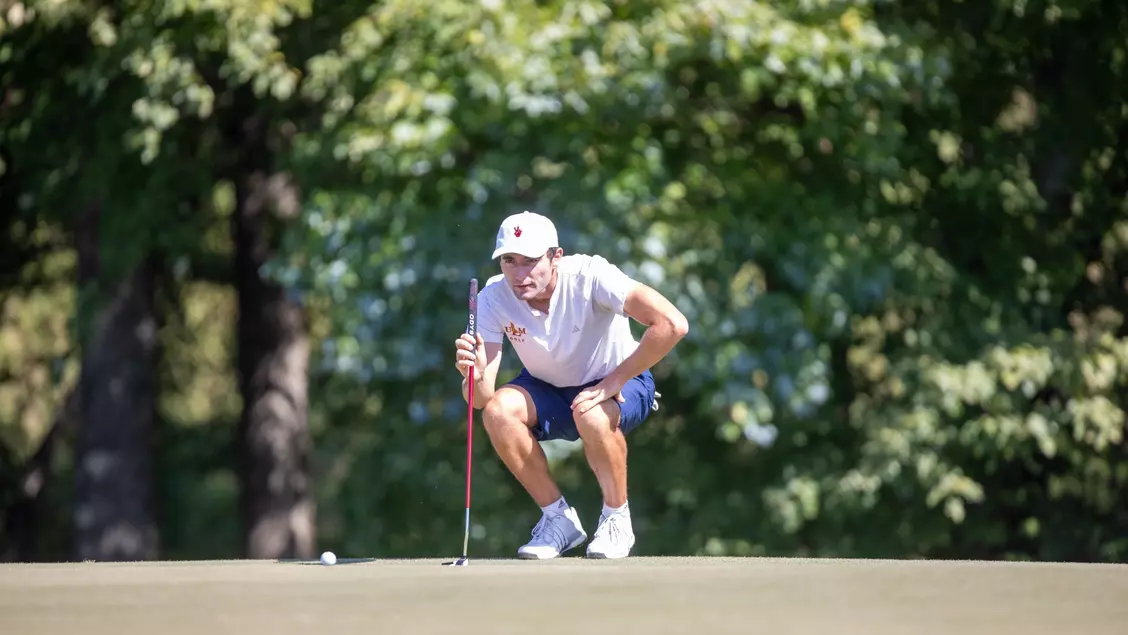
pixel 554 405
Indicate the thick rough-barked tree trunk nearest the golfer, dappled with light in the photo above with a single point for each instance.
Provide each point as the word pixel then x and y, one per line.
pixel 274 436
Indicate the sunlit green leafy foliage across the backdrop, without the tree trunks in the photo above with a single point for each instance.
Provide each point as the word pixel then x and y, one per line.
pixel 895 230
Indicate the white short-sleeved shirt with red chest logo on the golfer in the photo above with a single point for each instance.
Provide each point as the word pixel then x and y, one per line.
pixel 584 337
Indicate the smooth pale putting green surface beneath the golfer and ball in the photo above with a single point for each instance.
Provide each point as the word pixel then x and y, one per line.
pixel 568 596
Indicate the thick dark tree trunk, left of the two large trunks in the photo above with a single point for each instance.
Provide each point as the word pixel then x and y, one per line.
pixel 118 395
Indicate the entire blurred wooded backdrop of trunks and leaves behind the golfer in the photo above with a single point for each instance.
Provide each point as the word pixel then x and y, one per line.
pixel 237 239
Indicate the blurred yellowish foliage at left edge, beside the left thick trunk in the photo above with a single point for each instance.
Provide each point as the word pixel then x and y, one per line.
pixel 38 396
